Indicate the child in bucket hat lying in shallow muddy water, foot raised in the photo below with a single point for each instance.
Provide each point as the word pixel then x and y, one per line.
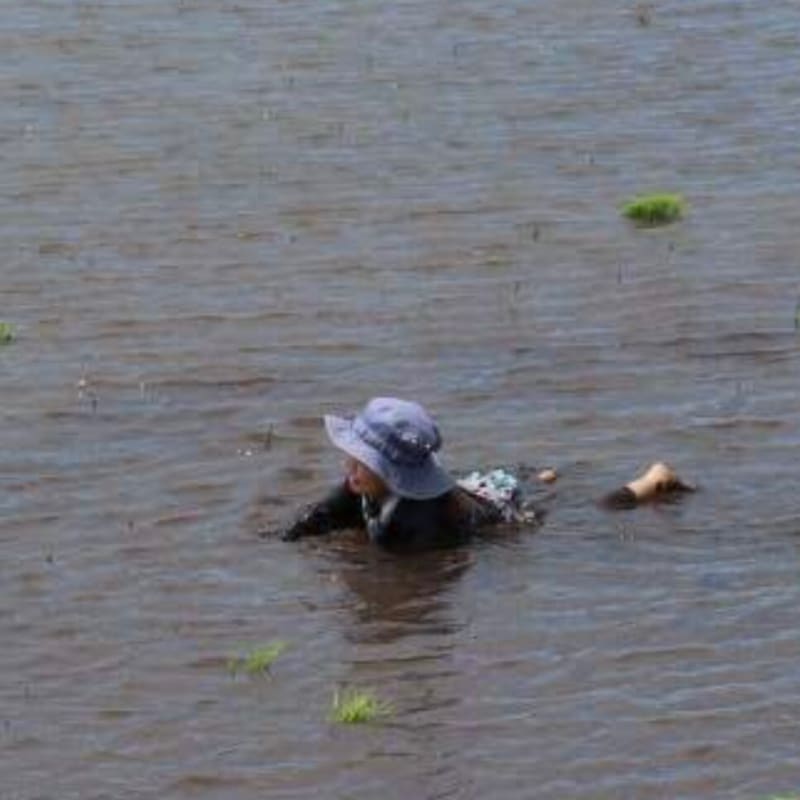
pixel 396 489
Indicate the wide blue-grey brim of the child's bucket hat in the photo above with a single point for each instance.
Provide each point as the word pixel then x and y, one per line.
pixel 417 482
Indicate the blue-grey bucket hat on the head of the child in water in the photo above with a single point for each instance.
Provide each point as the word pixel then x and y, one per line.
pixel 398 441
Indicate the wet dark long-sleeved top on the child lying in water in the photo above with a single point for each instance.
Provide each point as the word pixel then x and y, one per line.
pixel 446 520
